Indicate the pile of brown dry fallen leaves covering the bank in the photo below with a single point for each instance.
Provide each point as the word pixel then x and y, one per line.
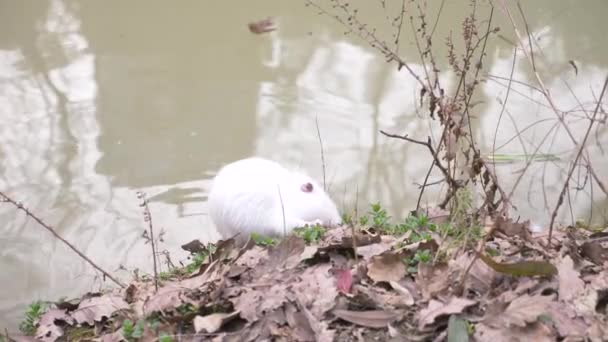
pixel 526 291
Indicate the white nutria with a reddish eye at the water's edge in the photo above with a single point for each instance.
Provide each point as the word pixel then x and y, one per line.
pixel 256 195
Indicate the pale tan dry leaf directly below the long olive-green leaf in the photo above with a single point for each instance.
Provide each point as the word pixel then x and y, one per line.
pixel 519 312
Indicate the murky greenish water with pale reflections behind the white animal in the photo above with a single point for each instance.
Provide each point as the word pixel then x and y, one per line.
pixel 101 99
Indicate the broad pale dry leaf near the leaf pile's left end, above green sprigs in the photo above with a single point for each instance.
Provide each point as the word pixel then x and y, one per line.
pixel 94 309
